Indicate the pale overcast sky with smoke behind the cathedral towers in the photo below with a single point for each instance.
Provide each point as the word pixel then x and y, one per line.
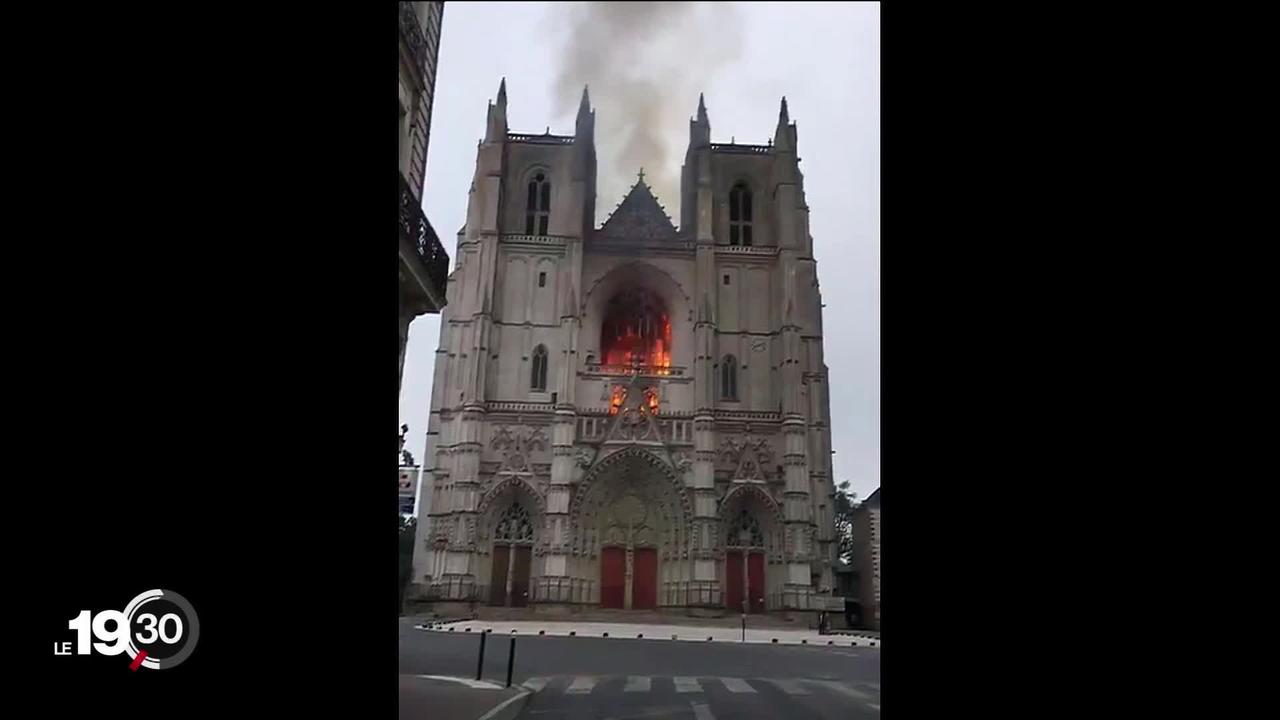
pixel 646 65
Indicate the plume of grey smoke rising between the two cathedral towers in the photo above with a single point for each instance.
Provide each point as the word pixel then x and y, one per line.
pixel 646 65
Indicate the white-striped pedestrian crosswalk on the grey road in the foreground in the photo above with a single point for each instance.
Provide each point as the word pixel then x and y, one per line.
pixel 606 685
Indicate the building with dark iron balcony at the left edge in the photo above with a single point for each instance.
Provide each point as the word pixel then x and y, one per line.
pixel 424 266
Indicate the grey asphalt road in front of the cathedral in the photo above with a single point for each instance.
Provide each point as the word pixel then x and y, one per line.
pixel 633 680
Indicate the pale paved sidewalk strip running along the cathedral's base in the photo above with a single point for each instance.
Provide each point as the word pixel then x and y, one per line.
pixel 651 632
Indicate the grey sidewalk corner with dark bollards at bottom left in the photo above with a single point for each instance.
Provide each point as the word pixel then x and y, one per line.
pixel 433 696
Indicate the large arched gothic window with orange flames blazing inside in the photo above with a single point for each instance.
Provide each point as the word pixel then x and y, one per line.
pixel 637 331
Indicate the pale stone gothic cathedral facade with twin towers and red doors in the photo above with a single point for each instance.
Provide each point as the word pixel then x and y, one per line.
pixel 633 416
